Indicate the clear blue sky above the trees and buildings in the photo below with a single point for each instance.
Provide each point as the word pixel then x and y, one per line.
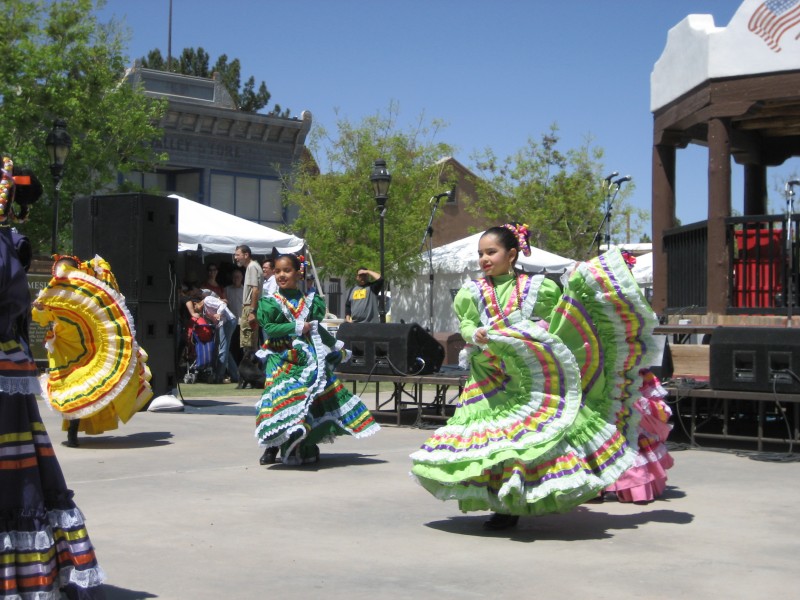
pixel 496 71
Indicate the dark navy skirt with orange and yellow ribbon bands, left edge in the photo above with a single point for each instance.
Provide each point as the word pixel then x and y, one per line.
pixel 44 545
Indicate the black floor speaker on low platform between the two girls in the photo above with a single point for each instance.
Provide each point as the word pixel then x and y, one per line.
pixel 390 349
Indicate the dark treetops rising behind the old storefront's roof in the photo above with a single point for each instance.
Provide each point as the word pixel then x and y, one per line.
pixel 195 62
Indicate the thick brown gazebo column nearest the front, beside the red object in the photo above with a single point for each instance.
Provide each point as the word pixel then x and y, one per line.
pixel 719 208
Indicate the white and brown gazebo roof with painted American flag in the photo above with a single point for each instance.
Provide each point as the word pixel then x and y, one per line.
pixel 747 72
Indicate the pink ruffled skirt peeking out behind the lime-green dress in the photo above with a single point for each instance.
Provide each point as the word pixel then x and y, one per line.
pixel 647 479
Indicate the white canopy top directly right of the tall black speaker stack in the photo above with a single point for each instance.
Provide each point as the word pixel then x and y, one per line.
pixel 212 231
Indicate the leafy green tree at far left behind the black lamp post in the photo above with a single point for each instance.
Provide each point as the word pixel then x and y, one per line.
pixel 59 62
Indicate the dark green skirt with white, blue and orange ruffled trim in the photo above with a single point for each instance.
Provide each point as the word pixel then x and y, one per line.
pixel 304 403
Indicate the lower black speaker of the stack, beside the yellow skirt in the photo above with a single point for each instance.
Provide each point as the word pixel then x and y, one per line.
pixel 157 333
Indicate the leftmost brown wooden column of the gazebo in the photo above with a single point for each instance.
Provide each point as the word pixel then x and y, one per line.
pixel 663 217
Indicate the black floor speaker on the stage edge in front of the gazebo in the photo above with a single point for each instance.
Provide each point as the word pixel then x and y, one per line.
pixel 755 359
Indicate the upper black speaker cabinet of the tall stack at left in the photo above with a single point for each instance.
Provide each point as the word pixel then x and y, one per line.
pixel 137 234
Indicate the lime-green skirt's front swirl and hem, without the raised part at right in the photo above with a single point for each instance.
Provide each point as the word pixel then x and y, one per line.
pixel 520 442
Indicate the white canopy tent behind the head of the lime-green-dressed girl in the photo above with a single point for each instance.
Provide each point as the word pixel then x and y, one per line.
pixel 453 265
